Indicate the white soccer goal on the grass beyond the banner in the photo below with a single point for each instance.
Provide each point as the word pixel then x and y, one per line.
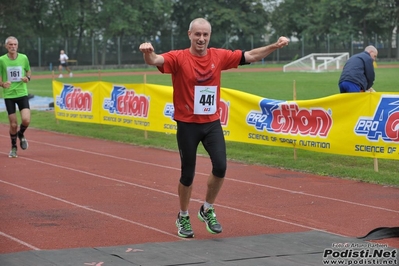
pixel 318 62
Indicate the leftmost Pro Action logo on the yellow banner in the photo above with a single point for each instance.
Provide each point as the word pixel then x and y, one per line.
pixel 74 99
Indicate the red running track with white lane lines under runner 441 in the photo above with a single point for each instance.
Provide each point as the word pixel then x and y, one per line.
pixel 70 192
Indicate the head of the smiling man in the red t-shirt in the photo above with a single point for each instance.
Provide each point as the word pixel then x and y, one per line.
pixel 199 36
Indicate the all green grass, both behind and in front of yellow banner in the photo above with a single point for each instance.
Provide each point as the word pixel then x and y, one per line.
pixel 274 85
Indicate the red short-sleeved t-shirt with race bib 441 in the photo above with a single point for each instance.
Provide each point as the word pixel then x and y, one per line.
pixel 196 82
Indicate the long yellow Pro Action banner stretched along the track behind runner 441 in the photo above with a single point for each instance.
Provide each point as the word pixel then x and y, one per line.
pixel 356 124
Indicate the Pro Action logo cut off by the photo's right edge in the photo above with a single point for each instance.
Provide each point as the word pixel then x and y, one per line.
pixel 384 123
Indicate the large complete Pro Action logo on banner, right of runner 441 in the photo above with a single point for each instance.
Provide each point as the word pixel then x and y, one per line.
pixel 281 117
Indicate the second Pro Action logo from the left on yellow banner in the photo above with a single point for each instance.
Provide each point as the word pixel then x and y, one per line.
pixel 126 102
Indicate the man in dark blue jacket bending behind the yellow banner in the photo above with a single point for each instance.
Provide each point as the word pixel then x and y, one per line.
pixel 358 73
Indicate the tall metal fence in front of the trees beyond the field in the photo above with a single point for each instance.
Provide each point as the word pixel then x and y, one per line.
pixel 43 52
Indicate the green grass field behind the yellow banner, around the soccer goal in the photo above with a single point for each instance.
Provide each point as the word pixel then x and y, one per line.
pixel 274 85
